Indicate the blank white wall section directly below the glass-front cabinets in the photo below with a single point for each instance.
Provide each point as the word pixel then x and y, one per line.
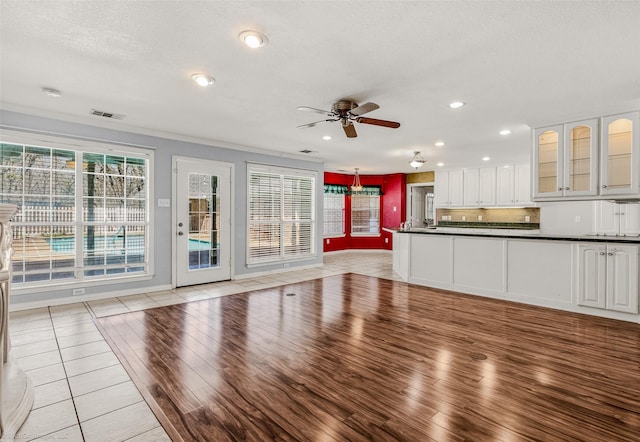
pixel 567 217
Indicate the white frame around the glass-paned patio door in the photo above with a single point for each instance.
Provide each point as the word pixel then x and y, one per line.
pixel 174 211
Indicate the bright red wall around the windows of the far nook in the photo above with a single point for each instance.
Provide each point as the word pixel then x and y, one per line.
pixel 394 196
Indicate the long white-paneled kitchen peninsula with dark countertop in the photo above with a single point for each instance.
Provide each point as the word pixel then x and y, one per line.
pixel 591 274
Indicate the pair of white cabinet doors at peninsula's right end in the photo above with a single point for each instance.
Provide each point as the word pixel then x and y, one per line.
pixel 607 276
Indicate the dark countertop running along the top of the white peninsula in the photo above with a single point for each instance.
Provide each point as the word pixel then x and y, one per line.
pixel 533 236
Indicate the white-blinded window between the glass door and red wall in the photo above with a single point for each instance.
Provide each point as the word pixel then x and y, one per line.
pixel 281 214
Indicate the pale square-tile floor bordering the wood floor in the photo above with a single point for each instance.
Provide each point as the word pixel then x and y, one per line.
pixel 82 393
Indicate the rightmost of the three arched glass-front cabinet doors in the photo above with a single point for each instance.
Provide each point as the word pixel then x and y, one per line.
pixel 620 155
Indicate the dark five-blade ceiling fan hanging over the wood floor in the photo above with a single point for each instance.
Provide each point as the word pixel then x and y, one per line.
pixel 347 112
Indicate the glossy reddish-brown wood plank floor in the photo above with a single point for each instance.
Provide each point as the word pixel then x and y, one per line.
pixel 355 357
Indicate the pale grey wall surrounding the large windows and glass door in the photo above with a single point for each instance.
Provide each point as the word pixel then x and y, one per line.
pixel 162 178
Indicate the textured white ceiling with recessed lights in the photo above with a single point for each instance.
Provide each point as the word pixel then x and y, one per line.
pixel 517 65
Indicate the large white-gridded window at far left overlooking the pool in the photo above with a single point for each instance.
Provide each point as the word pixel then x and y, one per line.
pixel 83 215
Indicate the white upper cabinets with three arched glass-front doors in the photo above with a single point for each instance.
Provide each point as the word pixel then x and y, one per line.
pixel 569 159
